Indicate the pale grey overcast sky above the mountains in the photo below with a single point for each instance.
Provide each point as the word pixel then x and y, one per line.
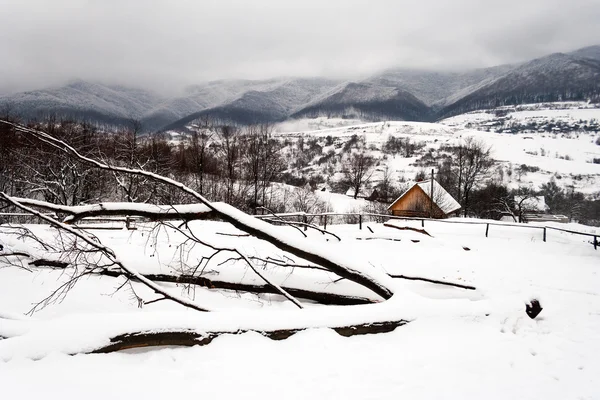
pixel 167 44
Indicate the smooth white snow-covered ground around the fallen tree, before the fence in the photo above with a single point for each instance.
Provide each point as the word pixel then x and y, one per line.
pixel 461 344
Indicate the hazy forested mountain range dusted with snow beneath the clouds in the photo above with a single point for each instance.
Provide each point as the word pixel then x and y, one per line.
pixel 395 94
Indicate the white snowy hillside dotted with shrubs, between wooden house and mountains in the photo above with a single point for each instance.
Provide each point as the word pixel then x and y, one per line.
pixel 531 144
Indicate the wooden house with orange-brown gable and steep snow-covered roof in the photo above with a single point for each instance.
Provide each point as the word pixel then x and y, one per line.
pixel 417 201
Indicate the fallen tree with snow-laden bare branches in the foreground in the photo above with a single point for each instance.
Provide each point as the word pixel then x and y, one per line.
pixel 84 254
